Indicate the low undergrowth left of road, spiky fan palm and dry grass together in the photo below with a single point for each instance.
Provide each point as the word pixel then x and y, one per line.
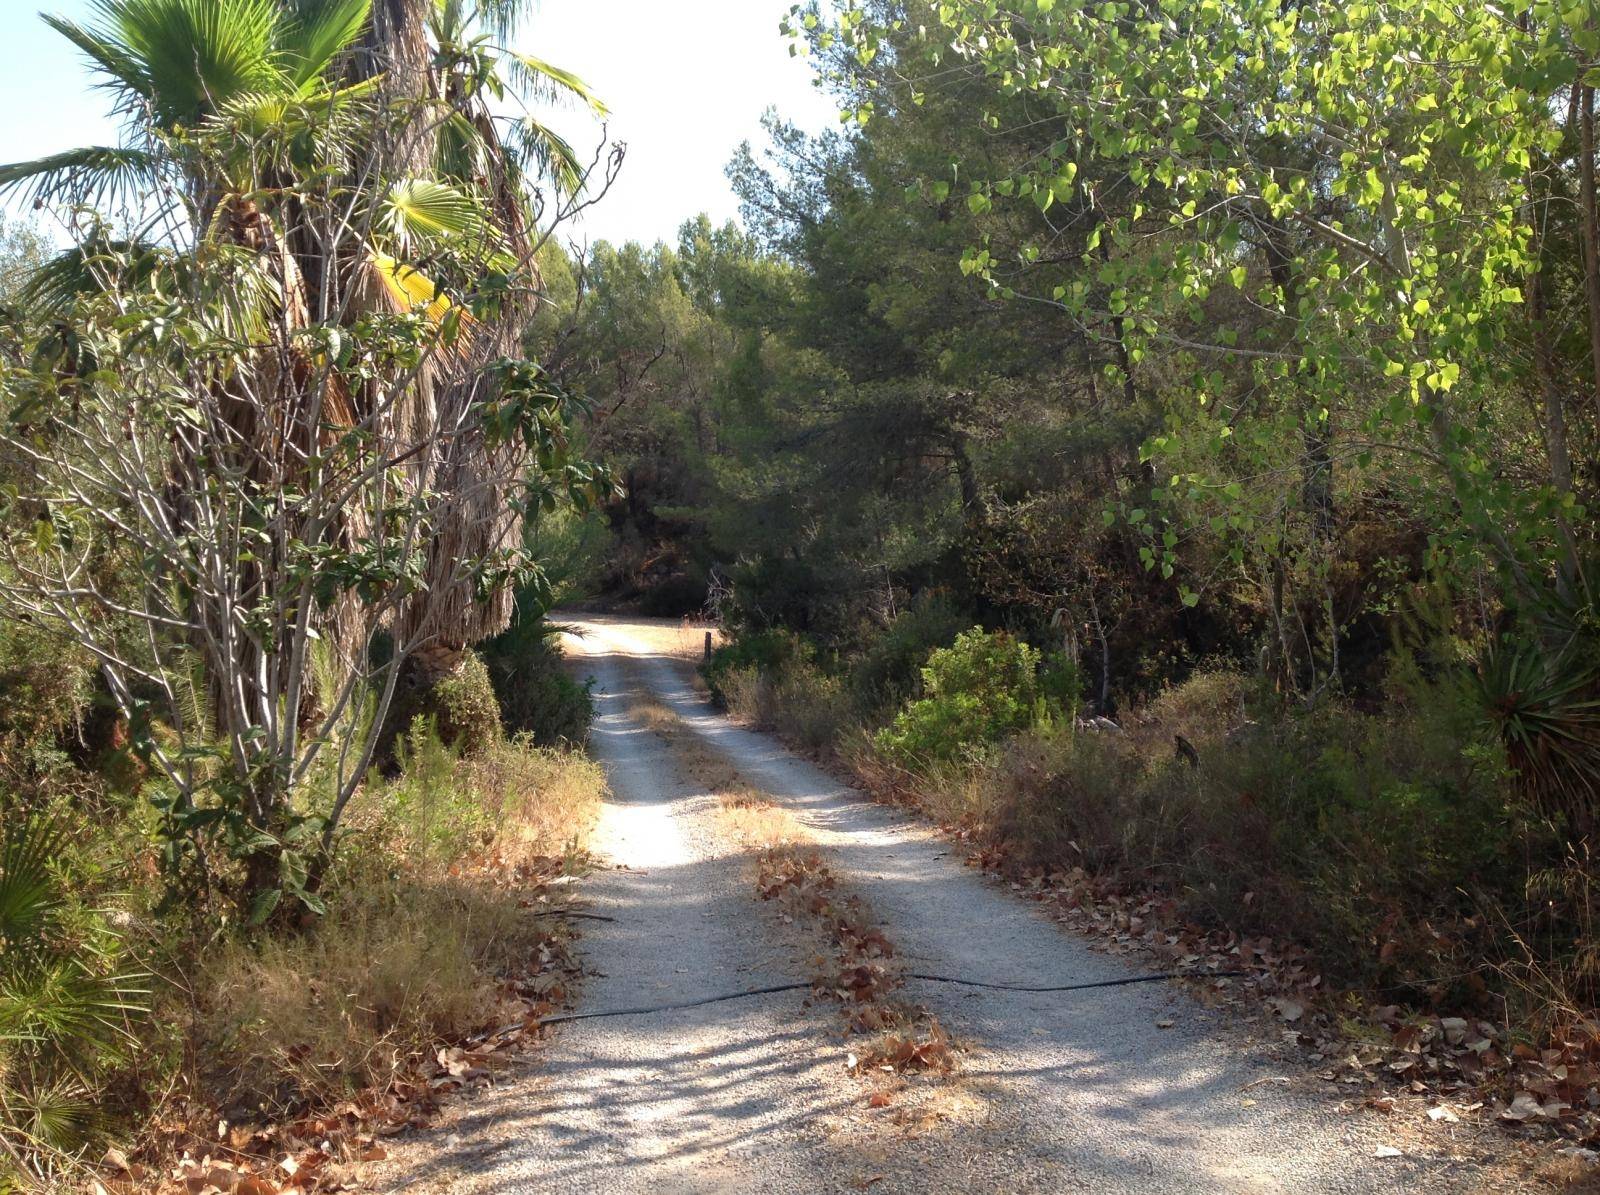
pixel 106 1001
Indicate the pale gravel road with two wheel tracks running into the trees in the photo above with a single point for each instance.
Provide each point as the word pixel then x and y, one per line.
pixel 1054 1093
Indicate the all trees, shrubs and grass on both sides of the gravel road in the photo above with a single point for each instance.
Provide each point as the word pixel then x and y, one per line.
pixel 1156 439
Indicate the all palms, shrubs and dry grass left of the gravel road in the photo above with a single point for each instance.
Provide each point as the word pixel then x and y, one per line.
pixel 290 767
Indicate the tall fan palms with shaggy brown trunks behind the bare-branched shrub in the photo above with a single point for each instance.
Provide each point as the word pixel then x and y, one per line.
pixel 342 161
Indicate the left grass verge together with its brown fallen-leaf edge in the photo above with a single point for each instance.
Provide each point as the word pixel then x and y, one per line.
pixel 298 1053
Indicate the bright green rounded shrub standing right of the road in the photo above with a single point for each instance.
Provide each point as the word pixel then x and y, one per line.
pixel 980 690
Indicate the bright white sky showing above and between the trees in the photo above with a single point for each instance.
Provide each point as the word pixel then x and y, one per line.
pixel 687 82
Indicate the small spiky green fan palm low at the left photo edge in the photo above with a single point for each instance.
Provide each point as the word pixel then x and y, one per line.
pixel 66 1002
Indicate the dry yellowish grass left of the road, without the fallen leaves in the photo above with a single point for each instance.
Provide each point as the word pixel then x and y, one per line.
pixel 426 930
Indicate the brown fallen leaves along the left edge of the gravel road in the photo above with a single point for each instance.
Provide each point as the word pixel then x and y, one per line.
pixel 311 1149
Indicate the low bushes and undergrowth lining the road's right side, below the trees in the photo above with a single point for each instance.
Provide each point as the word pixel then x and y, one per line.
pixel 1390 842
